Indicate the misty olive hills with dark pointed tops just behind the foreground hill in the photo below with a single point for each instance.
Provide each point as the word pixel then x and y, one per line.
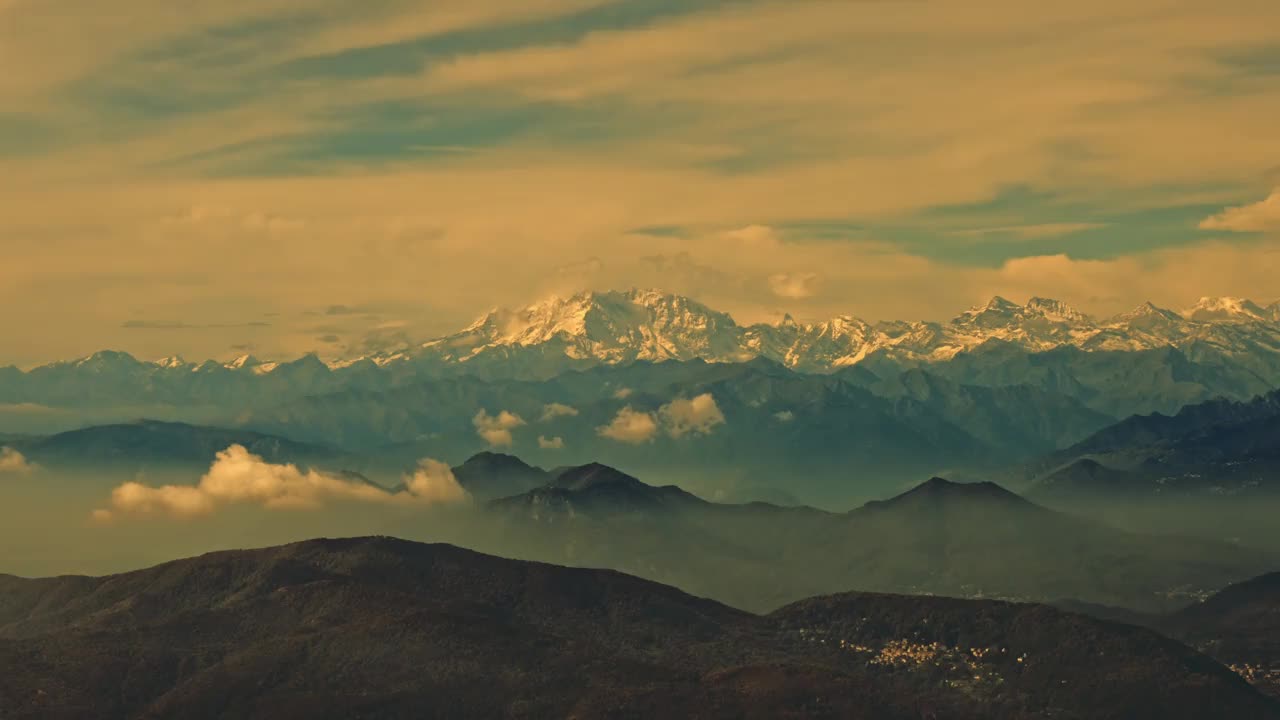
pixel 975 540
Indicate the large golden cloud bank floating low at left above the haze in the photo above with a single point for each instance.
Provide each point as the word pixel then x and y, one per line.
pixel 239 477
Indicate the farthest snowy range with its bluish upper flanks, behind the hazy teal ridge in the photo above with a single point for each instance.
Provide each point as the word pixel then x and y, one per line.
pixel 1219 348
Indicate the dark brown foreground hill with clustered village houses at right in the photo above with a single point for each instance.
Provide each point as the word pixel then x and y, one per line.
pixel 382 628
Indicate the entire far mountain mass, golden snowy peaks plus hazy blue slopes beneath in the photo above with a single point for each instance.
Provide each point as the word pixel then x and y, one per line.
pixel 844 407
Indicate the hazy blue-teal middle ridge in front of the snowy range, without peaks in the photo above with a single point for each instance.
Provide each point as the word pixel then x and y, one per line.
pixel 822 439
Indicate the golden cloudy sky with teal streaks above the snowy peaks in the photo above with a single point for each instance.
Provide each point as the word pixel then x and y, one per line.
pixel 290 176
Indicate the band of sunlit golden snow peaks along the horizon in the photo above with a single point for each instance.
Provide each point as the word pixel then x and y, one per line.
pixel 616 327
